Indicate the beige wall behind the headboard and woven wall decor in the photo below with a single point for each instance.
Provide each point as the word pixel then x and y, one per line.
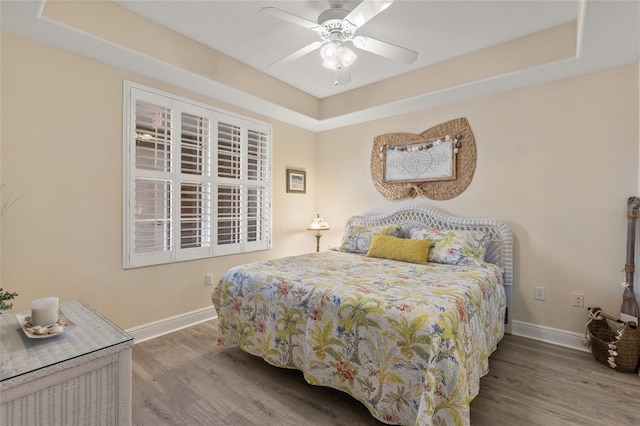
pixel 556 162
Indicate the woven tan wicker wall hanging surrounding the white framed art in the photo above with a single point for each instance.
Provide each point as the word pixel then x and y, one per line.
pixel 465 162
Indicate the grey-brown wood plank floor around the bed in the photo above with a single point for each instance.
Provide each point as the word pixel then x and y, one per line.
pixel 184 378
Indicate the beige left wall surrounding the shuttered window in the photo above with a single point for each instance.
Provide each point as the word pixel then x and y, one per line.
pixel 62 152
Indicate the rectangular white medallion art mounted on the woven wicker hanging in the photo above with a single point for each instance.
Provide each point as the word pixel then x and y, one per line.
pixel 427 160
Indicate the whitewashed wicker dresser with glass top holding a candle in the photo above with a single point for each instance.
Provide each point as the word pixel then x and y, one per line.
pixel 81 377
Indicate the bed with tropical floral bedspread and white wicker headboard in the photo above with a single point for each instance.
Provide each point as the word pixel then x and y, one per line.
pixel 408 340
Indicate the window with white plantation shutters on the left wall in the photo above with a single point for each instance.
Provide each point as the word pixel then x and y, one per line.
pixel 197 181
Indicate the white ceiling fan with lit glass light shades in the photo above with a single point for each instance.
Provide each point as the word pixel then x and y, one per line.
pixel 336 28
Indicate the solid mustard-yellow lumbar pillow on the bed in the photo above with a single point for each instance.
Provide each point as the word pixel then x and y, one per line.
pixel 402 249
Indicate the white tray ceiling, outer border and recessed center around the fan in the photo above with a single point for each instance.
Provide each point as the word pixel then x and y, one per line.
pixel 608 36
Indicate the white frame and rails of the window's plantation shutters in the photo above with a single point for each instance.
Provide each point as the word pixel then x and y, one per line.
pixel 178 105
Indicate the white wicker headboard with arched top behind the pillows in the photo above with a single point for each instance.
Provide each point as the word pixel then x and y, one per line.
pixel 499 250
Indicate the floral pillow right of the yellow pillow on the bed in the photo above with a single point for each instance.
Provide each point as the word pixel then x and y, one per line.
pixel 454 247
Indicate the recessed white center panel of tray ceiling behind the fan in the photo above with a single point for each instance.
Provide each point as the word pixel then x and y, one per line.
pixel 437 30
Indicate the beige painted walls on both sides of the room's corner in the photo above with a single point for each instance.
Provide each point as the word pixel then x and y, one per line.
pixel 556 162
